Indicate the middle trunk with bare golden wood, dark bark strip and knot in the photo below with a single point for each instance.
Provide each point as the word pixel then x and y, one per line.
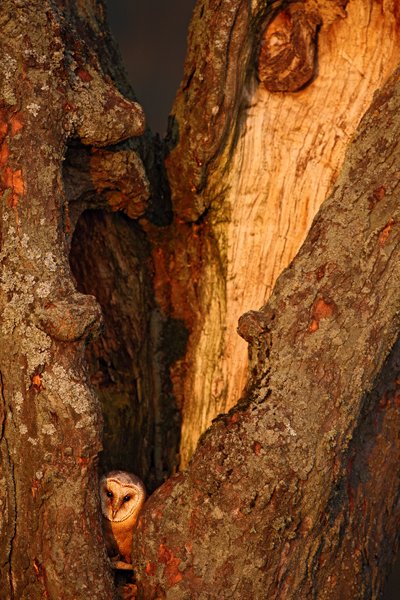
pixel 250 161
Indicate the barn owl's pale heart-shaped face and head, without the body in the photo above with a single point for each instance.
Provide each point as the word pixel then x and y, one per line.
pixel 122 495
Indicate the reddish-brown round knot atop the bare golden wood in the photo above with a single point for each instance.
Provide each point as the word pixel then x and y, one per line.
pixel 287 58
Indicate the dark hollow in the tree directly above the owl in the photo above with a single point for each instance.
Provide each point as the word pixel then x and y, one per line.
pixel 110 259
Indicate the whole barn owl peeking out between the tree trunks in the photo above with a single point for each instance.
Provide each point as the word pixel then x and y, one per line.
pixel 122 496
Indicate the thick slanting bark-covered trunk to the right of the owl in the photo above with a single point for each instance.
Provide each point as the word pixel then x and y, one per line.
pixel 294 494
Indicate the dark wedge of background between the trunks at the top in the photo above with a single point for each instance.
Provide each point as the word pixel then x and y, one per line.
pixel 151 35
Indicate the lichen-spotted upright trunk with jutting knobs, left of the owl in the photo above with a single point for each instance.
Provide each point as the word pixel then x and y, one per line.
pixel 54 86
